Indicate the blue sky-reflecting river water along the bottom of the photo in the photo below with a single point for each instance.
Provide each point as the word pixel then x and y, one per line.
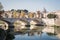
pixel 42 36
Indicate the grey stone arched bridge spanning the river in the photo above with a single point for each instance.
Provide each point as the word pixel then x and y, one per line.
pixel 10 21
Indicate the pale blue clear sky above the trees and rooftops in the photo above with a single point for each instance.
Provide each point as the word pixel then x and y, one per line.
pixel 31 5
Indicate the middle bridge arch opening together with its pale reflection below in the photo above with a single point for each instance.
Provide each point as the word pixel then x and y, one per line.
pixel 20 24
